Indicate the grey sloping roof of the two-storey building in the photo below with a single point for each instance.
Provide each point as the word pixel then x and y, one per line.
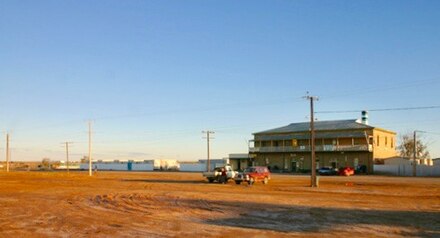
pixel 319 126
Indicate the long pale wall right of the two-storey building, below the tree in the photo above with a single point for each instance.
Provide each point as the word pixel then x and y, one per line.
pixel 407 170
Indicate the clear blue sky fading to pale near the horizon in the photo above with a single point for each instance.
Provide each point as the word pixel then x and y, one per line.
pixel 153 74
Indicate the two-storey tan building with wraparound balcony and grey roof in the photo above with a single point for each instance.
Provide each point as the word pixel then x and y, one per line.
pixel 337 144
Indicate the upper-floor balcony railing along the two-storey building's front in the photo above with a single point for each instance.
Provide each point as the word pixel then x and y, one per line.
pixel 306 148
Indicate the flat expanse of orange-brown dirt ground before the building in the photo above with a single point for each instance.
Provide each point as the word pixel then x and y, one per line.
pixel 155 204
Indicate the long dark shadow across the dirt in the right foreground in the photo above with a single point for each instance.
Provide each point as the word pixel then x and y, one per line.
pixel 319 219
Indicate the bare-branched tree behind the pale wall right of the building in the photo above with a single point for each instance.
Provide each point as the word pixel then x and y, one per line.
pixel 406 148
